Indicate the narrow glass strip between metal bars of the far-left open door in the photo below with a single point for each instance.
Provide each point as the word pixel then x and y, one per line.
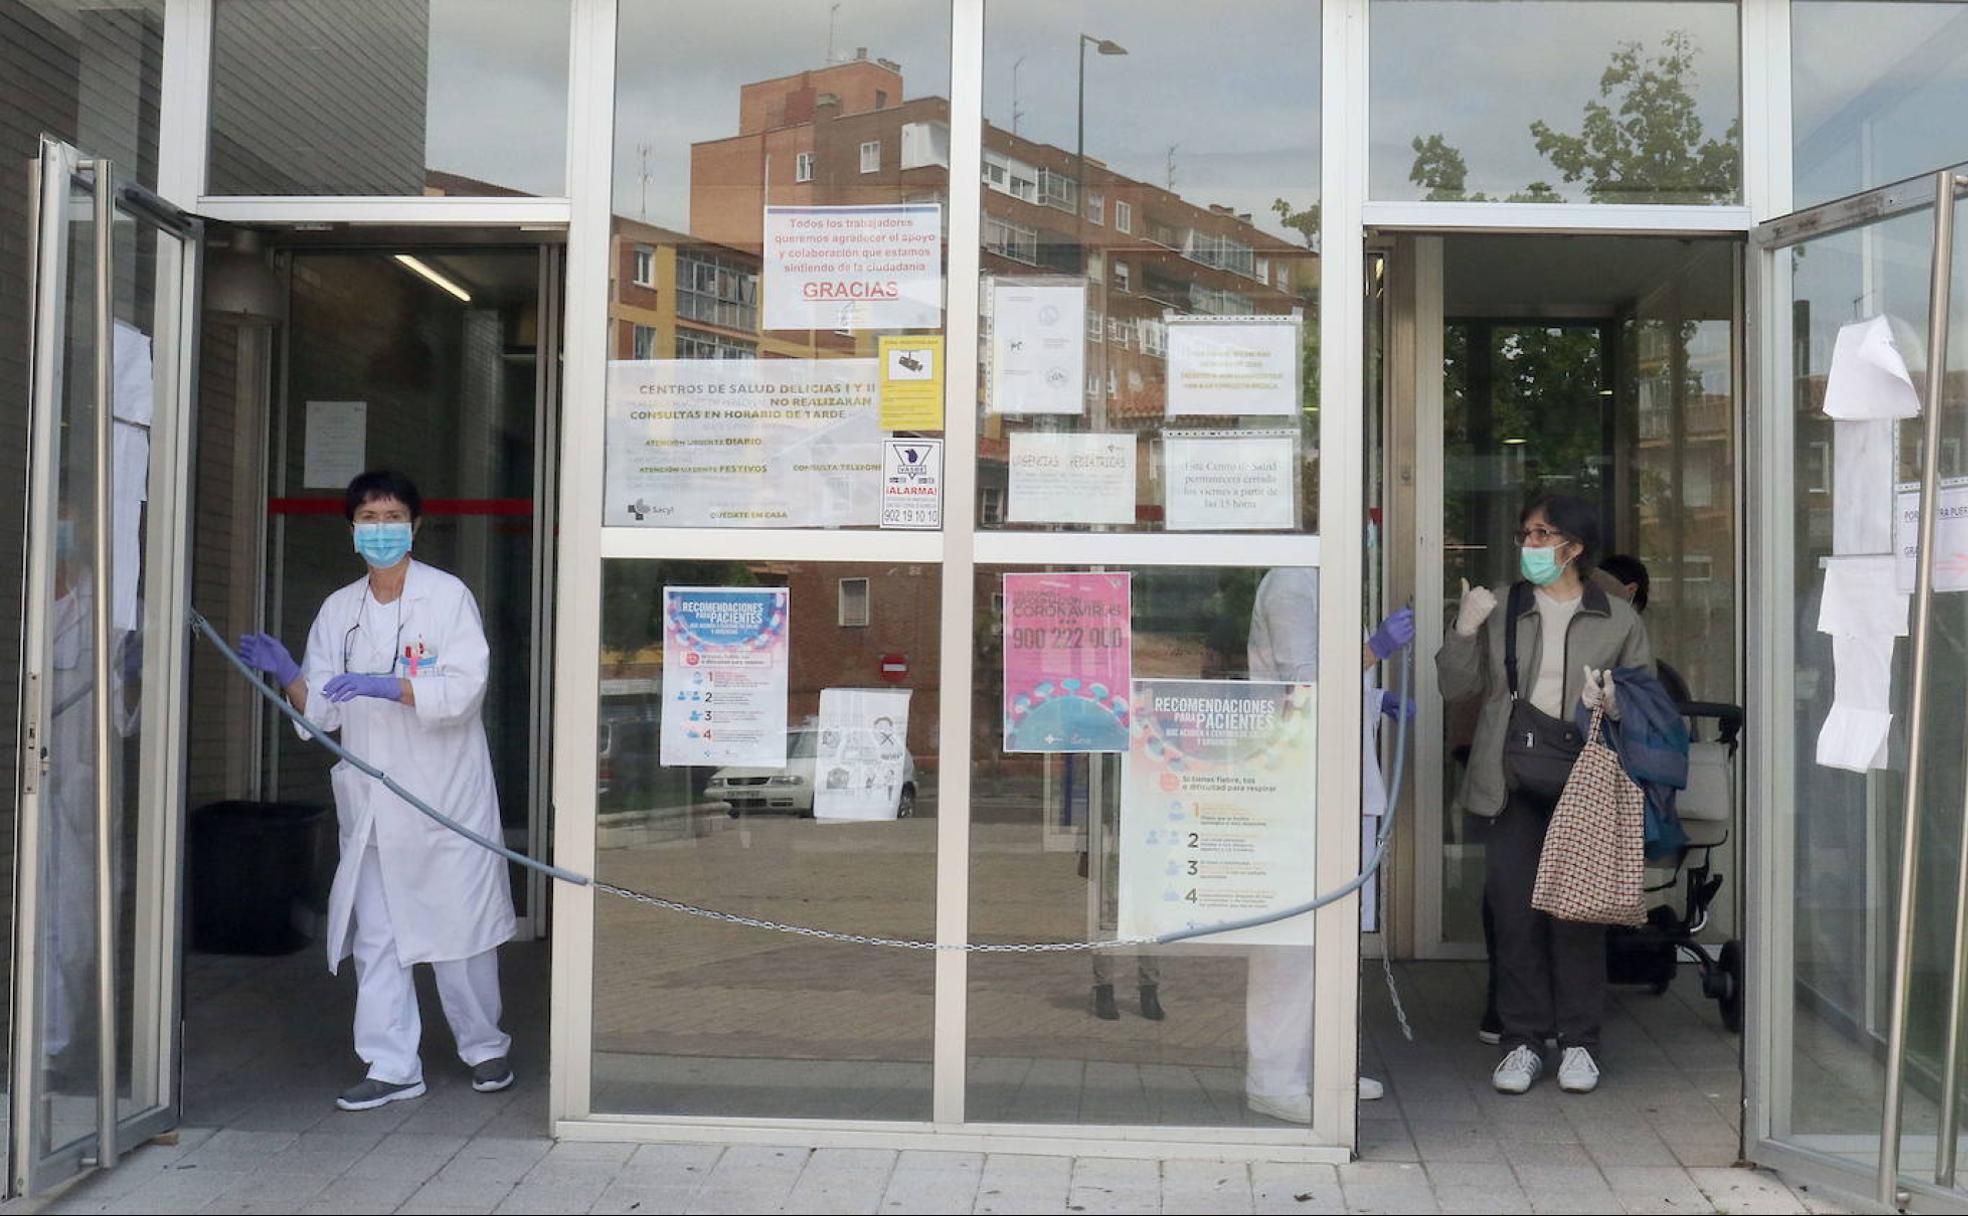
pixel 66 989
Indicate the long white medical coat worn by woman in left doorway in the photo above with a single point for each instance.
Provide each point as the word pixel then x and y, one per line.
pixel 448 896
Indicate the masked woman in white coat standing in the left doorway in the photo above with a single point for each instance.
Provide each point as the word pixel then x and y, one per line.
pixel 397 664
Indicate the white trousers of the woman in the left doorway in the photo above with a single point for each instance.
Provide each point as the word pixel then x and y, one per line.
pixel 389 1026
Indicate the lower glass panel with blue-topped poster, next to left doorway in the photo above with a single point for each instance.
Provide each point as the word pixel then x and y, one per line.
pixel 806 802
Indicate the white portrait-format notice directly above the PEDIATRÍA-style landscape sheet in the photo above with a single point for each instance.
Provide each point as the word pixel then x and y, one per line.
pixel 1038 347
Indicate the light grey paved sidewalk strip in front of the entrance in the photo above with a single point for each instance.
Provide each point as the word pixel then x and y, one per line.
pixel 343 1170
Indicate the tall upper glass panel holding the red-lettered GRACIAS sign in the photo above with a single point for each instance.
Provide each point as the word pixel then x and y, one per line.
pixel 776 288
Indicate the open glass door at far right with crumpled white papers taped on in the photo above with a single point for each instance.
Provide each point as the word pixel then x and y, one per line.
pixel 1859 778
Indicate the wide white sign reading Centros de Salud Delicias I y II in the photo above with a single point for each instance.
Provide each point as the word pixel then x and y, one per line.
pixel 743 444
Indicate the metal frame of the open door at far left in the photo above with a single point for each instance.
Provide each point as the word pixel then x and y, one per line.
pixel 156 888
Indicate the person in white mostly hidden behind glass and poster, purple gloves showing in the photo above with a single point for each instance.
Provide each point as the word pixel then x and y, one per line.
pixel 1278 999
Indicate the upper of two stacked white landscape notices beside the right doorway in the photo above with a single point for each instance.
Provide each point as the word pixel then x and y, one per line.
pixel 1235 365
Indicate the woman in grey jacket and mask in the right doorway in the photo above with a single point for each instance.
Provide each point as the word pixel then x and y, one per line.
pixel 1571 635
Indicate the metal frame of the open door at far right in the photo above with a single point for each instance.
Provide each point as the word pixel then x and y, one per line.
pixel 1770 835
